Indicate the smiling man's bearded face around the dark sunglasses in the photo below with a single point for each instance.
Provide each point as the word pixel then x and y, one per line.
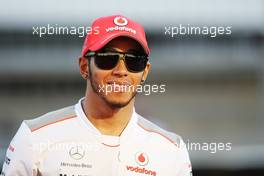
pixel 117 86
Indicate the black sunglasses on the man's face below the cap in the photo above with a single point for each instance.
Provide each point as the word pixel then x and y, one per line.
pixel 109 60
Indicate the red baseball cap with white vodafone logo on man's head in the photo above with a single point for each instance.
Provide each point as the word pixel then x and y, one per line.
pixel 107 28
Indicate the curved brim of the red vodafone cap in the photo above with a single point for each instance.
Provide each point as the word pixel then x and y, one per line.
pixel 104 40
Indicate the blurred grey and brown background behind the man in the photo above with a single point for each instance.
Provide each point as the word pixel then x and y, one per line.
pixel 214 86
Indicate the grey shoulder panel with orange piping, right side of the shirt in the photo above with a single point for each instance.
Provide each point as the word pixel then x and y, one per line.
pixel 151 127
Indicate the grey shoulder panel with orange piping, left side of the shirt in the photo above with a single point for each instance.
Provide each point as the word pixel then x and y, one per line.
pixel 51 118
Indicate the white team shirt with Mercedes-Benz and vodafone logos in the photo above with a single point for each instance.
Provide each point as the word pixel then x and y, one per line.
pixel 65 143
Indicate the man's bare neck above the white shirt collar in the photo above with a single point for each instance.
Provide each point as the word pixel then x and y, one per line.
pixel 108 120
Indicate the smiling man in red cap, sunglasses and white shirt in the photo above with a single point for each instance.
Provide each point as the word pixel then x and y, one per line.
pixel 101 135
